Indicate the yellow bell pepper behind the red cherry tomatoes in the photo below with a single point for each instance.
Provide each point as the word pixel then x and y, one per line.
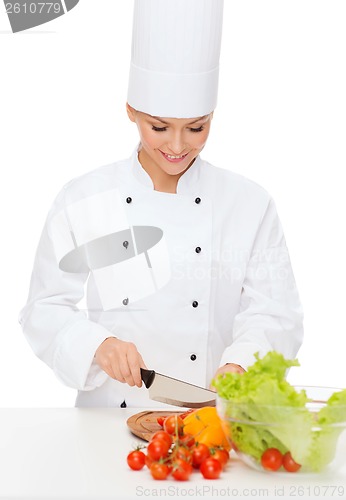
pixel 205 425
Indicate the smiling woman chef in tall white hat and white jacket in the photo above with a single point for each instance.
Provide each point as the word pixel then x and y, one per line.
pixel 184 265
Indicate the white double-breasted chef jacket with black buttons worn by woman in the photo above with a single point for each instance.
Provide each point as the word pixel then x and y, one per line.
pixel 229 293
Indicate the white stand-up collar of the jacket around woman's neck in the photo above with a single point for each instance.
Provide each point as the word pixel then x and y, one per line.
pixel 187 184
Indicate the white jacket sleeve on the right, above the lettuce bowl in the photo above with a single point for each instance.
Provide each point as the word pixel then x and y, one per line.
pixel 270 315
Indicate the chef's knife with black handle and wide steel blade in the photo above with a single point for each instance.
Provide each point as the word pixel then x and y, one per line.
pixel 176 392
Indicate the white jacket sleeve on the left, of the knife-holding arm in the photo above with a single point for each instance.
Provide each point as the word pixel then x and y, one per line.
pixel 59 333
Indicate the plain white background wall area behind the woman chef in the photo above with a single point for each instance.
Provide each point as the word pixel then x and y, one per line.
pixel 280 121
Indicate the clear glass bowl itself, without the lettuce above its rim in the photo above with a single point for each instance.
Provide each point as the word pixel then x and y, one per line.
pixel 316 445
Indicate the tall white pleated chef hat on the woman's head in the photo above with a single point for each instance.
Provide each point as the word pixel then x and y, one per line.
pixel 175 57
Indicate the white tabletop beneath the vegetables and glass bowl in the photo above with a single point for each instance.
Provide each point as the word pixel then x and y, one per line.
pixel 81 453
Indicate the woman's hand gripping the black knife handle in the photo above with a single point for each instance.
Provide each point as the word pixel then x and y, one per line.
pixel 120 360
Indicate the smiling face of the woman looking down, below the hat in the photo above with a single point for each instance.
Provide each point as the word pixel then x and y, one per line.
pixel 170 144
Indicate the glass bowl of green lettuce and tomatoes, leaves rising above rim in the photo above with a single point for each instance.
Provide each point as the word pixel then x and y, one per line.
pixel 273 425
